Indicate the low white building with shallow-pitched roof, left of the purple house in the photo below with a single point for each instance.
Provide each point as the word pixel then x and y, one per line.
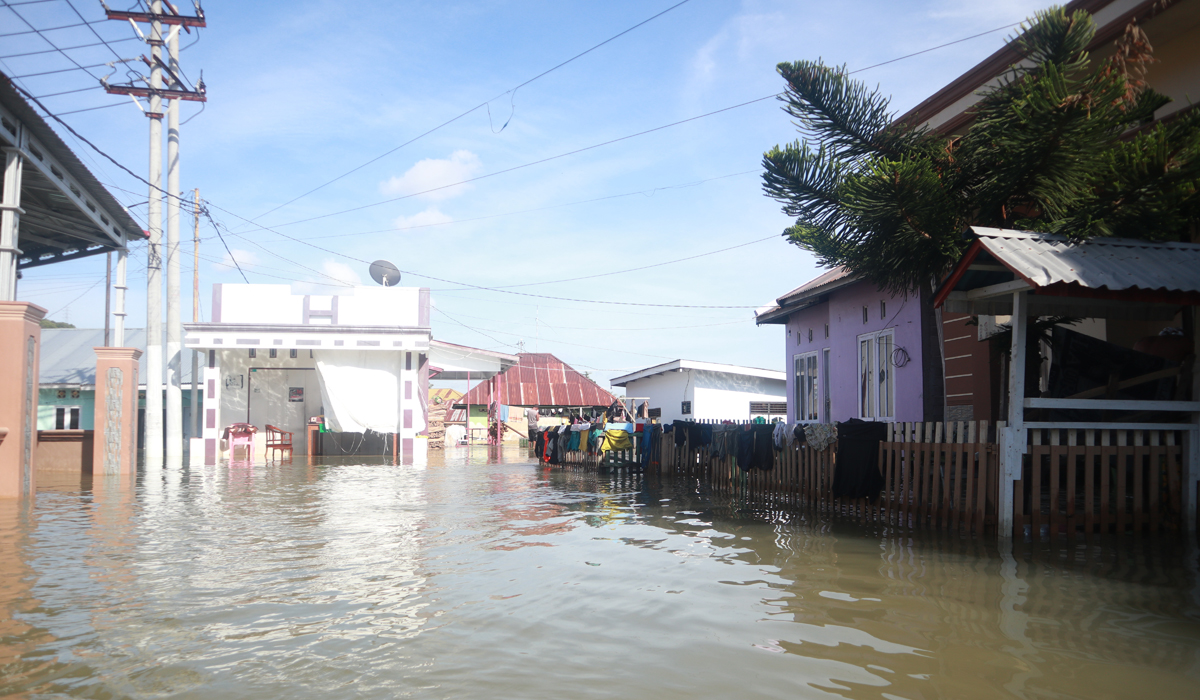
pixel 692 391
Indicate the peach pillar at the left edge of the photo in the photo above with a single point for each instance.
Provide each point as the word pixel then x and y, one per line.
pixel 21 343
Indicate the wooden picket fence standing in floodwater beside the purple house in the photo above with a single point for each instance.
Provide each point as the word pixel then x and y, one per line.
pixel 946 476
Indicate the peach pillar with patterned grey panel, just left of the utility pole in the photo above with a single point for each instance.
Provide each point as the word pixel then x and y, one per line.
pixel 116 451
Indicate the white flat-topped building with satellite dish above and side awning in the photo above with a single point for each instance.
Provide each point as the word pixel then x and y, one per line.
pixel 362 360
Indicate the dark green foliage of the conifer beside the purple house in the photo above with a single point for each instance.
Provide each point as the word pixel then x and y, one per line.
pixel 1051 149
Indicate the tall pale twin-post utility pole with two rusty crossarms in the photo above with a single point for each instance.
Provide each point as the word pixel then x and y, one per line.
pixel 155 92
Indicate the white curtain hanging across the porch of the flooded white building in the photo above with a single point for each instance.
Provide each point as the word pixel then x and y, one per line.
pixel 361 390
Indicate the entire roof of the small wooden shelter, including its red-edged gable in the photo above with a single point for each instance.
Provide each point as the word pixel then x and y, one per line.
pixel 1096 277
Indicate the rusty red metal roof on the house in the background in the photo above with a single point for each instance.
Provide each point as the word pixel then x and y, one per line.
pixel 542 380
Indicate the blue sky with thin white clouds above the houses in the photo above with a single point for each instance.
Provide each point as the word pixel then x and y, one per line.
pixel 303 93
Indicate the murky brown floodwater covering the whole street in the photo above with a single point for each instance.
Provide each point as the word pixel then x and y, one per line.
pixel 484 576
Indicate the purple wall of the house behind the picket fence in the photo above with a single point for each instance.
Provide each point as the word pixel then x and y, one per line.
pixel 844 314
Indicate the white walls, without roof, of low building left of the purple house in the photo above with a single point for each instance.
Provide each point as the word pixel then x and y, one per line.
pixel 713 396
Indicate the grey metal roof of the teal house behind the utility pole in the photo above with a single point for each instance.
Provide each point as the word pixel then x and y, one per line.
pixel 68 356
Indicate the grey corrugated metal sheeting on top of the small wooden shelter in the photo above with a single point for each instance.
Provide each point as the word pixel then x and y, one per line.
pixel 1097 264
